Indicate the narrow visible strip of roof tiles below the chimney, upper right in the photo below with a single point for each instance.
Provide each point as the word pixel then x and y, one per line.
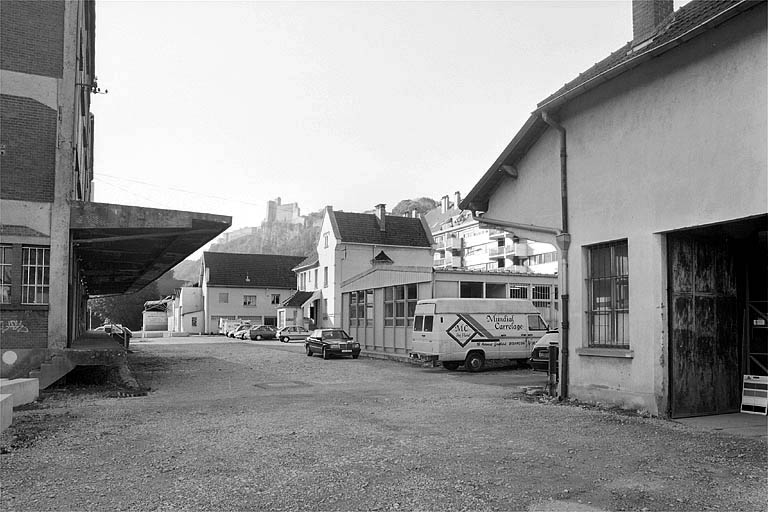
pixel 678 23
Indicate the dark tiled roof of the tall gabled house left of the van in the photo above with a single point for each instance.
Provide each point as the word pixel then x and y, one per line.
pixel 364 228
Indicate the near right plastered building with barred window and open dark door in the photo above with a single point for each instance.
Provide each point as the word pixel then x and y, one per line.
pixel 649 171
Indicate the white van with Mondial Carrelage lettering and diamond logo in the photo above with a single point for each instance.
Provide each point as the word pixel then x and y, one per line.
pixel 472 331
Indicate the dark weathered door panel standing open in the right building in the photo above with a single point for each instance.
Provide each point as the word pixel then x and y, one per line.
pixel 704 327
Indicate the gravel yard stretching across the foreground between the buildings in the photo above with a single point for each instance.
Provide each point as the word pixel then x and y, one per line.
pixel 236 426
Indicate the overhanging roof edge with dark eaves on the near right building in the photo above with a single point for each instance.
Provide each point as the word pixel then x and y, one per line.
pixel 614 65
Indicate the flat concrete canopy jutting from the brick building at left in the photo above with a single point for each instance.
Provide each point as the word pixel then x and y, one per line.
pixel 121 249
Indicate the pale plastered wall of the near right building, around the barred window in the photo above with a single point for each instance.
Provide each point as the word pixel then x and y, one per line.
pixel 679 142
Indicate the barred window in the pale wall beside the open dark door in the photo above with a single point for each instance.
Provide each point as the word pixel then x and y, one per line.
pixel 608 289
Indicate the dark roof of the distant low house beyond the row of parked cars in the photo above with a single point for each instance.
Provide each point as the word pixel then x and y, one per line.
pixel 251 270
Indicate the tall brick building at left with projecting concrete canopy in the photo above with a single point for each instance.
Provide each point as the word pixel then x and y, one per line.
pixel 57 246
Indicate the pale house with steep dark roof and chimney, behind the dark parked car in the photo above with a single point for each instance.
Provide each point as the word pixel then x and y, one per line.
pixel 350 244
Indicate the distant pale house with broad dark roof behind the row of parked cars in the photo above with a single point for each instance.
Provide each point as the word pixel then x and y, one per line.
pixel 247 287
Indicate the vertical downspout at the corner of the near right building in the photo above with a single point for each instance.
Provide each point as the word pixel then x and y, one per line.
pixel 563 242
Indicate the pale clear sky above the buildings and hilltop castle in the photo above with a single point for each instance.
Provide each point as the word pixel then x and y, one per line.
pixel 220 106
